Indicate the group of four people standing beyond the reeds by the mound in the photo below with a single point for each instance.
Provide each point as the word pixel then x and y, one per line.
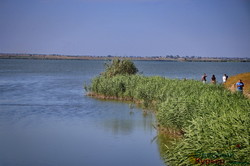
pixel 239 84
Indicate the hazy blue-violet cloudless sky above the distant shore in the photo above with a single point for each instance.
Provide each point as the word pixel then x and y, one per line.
pixel 126 27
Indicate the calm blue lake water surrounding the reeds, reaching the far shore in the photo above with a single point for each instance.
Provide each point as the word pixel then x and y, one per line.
pixel 46 119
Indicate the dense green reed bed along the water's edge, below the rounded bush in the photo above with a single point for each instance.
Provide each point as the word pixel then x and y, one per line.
pixel 215 122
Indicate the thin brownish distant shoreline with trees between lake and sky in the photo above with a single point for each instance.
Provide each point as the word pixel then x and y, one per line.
pixel 87 57
